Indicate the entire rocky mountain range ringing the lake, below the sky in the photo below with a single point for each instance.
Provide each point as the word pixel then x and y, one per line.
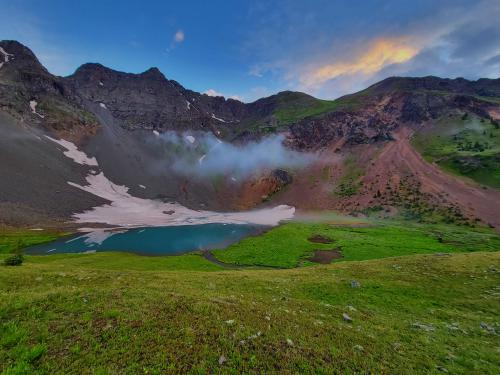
pixel 365 144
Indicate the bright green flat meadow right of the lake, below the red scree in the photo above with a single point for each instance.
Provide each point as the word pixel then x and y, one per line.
pixel 287 246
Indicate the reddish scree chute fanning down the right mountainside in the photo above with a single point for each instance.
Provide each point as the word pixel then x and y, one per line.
pixel 474 200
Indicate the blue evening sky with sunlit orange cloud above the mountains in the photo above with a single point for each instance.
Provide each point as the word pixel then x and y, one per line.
pixel 251 49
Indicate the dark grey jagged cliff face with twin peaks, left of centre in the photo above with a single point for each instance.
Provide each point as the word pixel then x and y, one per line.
pixel 150 101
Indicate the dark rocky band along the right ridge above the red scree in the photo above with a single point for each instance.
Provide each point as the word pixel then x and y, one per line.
pixel 391 104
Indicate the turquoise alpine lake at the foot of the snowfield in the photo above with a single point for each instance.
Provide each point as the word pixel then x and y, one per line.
pixel 172 240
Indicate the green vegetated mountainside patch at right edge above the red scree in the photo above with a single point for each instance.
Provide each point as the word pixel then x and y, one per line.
pixel 467 147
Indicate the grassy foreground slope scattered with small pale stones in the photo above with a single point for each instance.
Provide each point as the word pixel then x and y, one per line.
pixel 418 314
